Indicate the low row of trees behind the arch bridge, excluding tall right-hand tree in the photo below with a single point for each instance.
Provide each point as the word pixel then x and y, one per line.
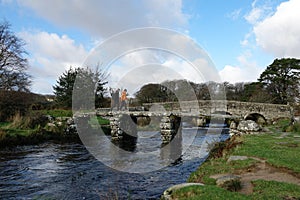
pixel 183 90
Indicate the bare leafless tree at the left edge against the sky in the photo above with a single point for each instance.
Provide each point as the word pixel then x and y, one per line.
pixel 13 64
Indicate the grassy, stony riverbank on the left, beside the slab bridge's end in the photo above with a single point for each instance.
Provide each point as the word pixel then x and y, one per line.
pixel 39 127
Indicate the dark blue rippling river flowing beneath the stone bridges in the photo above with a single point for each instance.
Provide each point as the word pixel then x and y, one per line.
pixel 69 171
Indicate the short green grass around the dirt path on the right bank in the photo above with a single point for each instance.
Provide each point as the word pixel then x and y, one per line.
pixel 278 149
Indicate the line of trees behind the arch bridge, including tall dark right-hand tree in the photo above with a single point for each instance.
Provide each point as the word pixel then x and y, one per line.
pixel 278 84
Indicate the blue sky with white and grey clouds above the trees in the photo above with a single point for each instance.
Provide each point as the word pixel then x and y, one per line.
pixel 241 38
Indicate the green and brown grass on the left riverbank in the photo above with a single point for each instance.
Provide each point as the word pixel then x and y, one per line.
pixel 33 129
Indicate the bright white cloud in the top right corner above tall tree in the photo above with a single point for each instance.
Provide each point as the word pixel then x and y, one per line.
pixel 279 34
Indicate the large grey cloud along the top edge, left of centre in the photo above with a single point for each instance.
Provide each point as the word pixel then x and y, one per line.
pixel 104 18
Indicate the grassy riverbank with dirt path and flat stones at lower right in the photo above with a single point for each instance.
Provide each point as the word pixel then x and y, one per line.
pixel 265 165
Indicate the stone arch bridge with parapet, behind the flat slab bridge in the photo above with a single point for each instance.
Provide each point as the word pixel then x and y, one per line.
pixel 238 109
